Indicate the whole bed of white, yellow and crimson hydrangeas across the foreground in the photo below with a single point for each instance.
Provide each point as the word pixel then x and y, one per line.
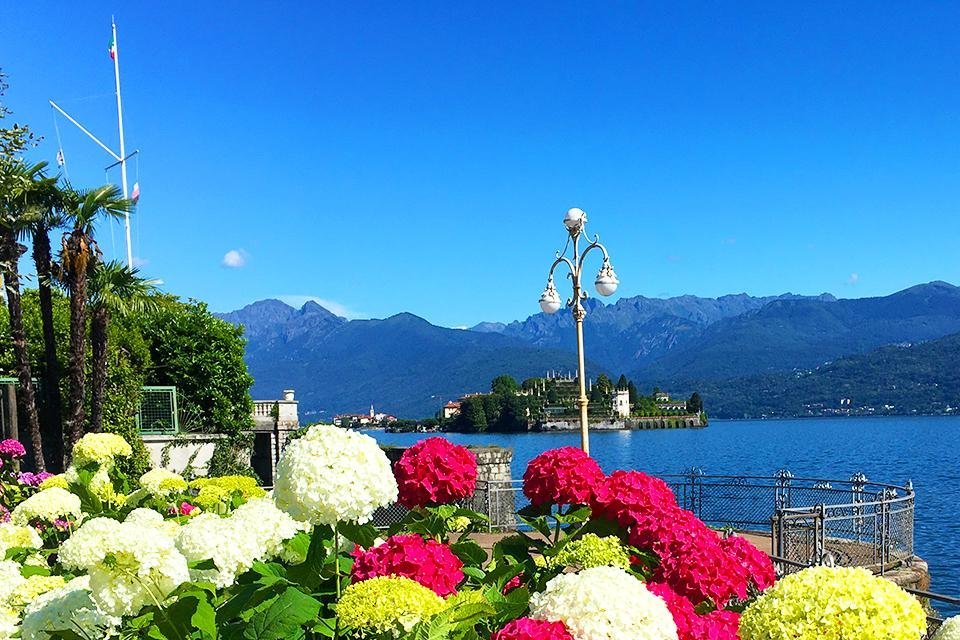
pixel 91 554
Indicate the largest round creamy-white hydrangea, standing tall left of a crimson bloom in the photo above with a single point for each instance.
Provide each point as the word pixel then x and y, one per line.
pixel 331 475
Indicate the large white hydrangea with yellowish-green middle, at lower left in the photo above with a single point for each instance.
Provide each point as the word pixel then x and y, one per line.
pixel 129 565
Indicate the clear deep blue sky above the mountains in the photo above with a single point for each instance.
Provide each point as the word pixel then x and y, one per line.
pixel 386 157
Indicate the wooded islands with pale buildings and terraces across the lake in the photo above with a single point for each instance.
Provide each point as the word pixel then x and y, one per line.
pixel 545 404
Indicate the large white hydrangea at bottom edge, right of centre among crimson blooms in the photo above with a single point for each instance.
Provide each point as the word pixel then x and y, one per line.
pixel 604 603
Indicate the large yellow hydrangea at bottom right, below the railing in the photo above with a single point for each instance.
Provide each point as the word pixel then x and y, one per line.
pixel 833 603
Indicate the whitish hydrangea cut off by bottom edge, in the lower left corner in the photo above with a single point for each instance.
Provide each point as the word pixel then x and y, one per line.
pixel 69 607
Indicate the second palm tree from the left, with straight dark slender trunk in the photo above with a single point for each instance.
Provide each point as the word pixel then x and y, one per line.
pixel 46 219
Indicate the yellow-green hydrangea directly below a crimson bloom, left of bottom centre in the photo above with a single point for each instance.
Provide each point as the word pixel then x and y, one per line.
pixel 388 605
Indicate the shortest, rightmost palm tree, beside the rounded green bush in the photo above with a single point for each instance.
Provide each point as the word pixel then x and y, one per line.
pixel 115 290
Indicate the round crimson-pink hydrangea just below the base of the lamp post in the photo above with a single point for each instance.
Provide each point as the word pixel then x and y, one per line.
pixel 561 476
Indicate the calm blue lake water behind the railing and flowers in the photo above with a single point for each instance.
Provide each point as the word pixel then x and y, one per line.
pixel 925 450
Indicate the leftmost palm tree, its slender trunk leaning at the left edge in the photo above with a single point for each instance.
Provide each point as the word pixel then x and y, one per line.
pixel 23 190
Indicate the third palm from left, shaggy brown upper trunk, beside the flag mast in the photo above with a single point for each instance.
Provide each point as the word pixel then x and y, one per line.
pixel 78 251
